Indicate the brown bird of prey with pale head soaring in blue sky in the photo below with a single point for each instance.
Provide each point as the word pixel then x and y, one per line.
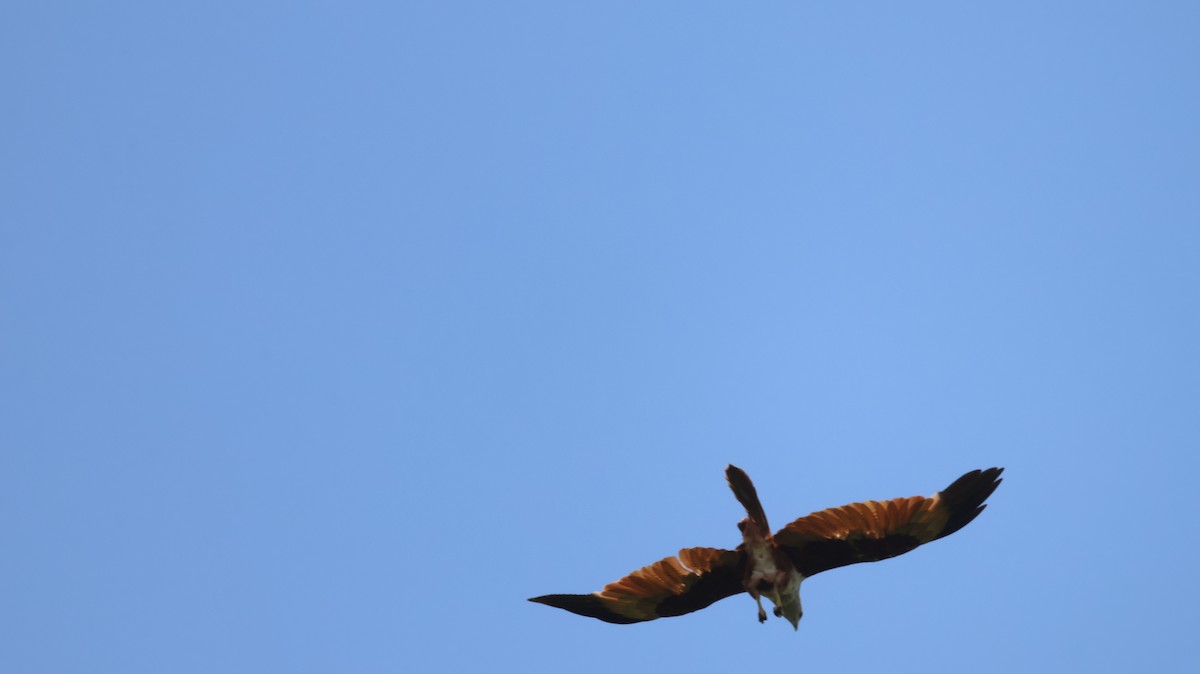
pixel 775 565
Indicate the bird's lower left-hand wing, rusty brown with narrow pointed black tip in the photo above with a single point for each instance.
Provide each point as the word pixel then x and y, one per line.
pixel 671 587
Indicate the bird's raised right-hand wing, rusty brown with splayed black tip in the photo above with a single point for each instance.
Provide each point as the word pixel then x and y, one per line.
pixel 875 531
